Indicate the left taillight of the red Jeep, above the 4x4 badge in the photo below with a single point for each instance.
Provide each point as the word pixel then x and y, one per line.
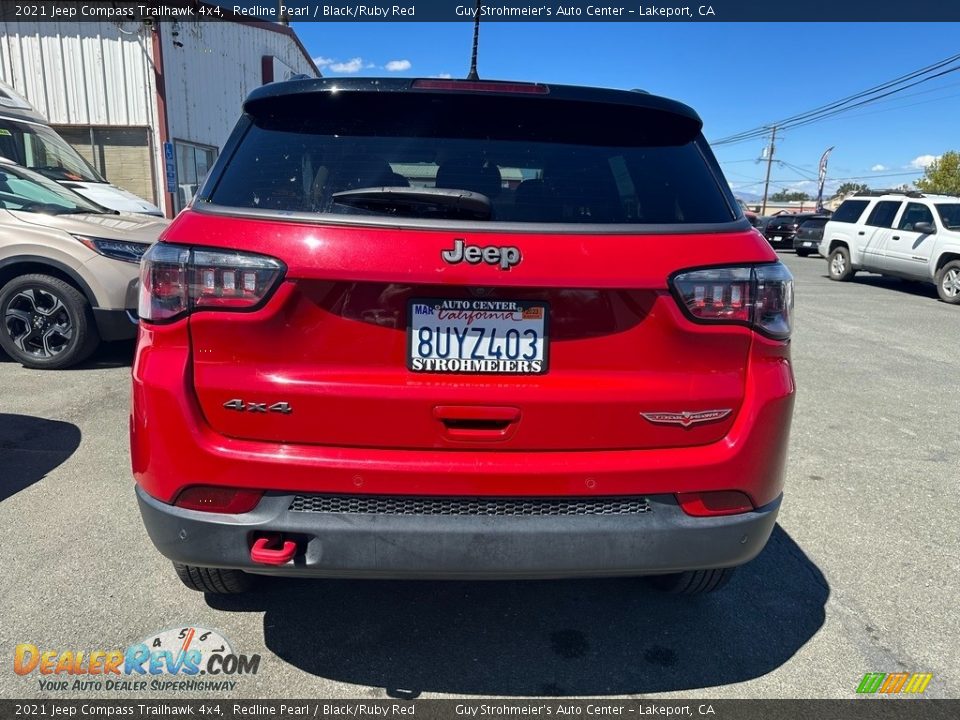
pixel 175 280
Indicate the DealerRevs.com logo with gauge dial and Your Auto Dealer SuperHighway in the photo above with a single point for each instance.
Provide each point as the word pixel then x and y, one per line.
pixel 179 659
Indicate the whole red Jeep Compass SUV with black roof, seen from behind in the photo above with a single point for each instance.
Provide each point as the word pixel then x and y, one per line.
pixel 461 329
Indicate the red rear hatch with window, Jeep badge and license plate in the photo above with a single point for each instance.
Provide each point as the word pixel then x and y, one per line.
pixel 460 272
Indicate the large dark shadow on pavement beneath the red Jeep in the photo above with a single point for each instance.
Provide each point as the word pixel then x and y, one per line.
pixel 556 638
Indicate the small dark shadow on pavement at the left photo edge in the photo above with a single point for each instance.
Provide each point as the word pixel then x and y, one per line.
pixel 30 448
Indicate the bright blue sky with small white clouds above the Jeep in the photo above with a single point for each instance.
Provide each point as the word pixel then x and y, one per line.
pixel 737 76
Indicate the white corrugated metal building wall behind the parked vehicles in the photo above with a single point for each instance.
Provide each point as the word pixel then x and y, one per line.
pixel 102 74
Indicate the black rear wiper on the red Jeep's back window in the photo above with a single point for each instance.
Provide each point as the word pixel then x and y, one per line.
pixel 419 202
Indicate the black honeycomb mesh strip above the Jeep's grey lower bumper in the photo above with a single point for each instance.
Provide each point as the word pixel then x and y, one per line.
pixel 401 505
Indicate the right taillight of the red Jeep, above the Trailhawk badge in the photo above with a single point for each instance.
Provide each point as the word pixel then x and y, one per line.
pixel 759 296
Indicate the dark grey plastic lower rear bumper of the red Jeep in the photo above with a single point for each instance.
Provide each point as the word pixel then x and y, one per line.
pixel 334 544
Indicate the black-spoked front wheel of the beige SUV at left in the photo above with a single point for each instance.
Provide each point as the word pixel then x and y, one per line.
pixel 46 323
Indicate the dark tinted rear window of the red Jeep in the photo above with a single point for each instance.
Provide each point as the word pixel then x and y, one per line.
pixel 600 164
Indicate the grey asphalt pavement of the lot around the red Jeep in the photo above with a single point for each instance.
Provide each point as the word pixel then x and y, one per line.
pixel 862 573
